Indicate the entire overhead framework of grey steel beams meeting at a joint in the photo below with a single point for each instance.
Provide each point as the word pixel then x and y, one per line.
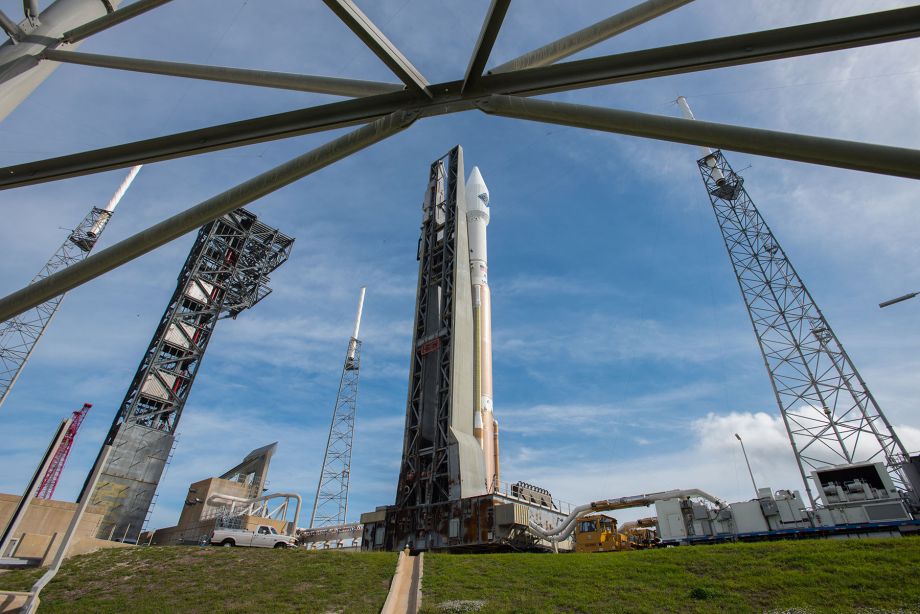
pixel 385 109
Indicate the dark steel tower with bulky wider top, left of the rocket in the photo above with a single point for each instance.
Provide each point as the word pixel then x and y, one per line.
pixel 225 273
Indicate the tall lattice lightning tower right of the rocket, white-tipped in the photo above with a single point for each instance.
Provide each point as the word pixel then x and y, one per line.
pixel 830 414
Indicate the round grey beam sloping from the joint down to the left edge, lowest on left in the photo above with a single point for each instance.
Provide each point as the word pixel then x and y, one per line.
pixel 194 217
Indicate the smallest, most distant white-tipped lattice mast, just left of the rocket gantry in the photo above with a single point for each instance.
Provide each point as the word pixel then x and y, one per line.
pixel 330 507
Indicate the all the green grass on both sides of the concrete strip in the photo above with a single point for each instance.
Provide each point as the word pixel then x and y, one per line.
pixel 871 576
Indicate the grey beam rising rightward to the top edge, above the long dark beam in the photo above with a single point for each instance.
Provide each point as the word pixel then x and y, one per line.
pixel 592 35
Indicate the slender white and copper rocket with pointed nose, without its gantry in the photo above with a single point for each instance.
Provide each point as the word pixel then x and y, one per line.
pixel 485 427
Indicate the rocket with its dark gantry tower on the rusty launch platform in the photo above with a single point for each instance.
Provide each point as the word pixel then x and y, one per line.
pixel 448 495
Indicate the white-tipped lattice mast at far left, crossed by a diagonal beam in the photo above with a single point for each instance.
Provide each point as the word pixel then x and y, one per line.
pixel 20 334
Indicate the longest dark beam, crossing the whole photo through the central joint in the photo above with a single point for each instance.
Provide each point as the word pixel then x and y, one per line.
pixel 747 48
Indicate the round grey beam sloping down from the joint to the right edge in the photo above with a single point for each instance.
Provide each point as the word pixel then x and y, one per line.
pixel 802 148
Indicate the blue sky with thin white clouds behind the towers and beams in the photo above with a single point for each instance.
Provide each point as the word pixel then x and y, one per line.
pixel 624 359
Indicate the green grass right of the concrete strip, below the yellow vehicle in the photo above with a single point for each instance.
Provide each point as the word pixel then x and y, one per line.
pixel 867 576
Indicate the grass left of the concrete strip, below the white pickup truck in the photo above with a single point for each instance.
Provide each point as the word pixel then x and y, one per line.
pixel 209 580
